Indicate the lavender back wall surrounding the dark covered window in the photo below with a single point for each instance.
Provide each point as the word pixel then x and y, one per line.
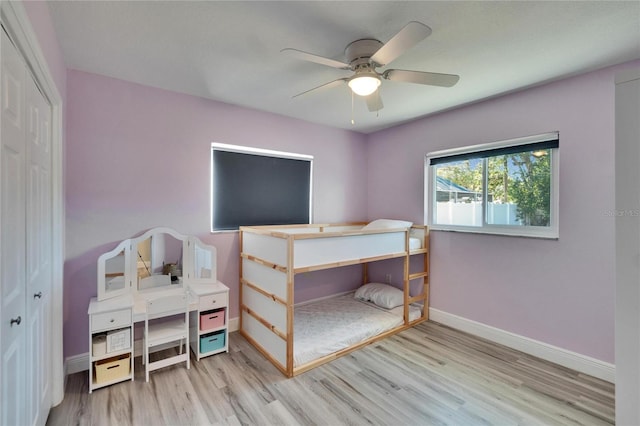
pixel 139 157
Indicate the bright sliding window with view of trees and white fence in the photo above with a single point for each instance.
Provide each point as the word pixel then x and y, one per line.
pixel 508 187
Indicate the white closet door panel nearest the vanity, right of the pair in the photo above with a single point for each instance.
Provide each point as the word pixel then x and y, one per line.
pixel 39 266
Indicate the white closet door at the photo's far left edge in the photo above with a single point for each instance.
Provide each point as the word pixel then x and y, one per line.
pixel 12 230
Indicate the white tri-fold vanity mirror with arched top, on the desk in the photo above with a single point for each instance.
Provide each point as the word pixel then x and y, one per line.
pixel 158 259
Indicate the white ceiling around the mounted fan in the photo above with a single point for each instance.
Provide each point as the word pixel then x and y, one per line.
pixel 230 51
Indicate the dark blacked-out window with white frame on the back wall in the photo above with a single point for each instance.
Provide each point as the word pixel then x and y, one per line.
pixel 251 186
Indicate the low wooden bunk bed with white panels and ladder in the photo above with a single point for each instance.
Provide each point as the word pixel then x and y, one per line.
pixel 271 256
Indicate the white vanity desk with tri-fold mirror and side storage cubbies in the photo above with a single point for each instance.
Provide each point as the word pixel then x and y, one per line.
pixel 122 300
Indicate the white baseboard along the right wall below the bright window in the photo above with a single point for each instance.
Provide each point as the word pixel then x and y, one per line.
pixel 575 361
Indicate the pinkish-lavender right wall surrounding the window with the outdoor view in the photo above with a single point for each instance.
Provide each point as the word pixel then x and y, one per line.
pixel 558 292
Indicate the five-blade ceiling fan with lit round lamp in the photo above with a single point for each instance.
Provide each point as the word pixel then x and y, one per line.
pixel 364 56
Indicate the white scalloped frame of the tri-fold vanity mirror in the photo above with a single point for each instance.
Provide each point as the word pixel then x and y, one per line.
pixel 189 246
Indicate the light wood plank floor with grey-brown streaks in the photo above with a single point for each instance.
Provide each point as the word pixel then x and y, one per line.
pixel 428 375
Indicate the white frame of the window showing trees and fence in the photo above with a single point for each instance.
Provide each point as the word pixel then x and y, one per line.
pixel 548 232
